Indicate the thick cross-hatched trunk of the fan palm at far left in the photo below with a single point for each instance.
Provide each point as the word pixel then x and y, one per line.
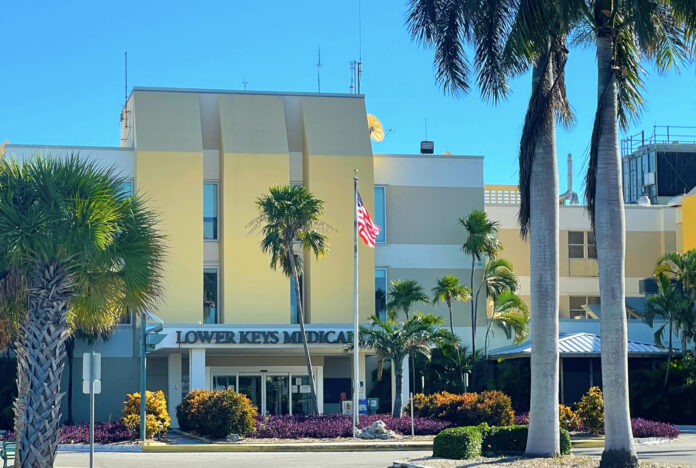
pixel 41 358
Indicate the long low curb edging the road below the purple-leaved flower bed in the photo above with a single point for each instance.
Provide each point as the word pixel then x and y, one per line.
pixel 219 447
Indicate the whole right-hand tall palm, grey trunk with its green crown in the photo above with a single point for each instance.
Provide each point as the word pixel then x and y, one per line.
pixel 624 33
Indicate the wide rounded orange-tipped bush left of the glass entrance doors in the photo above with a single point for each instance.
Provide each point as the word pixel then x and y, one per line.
pixel 216 413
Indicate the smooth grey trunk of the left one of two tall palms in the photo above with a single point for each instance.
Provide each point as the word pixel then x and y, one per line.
pixel 543 439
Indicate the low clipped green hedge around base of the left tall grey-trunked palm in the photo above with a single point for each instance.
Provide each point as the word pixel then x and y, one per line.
pixel 472 441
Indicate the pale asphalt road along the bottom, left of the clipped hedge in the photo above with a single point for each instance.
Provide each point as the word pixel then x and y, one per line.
pixel 238 459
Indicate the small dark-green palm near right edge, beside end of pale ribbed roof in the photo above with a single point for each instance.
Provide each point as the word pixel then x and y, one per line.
pixel 672 306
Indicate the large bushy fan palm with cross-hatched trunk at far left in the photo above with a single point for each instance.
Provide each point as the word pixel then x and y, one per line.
pixel 67 232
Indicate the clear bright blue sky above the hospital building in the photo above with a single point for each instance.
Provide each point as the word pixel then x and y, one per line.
pixel 62 79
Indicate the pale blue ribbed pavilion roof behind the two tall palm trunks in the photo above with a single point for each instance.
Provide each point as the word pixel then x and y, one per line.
pixel 581 345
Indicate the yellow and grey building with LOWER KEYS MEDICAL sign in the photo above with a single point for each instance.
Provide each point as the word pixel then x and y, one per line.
pixel 202 158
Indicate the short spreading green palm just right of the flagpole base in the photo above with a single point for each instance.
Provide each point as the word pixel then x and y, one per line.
pixel 394 341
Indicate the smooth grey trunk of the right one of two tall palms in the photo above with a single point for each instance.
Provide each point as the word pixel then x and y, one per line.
pixel 619 450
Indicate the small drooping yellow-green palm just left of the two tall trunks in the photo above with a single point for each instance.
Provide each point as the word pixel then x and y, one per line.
pixel 511 315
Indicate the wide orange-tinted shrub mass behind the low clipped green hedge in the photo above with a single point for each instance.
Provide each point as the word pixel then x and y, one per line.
pixel 468 409
